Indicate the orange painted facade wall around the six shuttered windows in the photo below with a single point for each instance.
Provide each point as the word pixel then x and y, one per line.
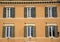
pixel 19 22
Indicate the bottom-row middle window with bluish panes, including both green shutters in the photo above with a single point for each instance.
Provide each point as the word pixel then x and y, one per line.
pixel 29 31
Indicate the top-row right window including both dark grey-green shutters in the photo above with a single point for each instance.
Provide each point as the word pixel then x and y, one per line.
pixel 50 11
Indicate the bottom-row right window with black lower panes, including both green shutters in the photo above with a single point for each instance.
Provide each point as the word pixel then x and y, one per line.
pixel 51 31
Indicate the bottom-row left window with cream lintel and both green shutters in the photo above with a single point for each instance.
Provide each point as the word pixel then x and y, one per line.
pixel 8 31
